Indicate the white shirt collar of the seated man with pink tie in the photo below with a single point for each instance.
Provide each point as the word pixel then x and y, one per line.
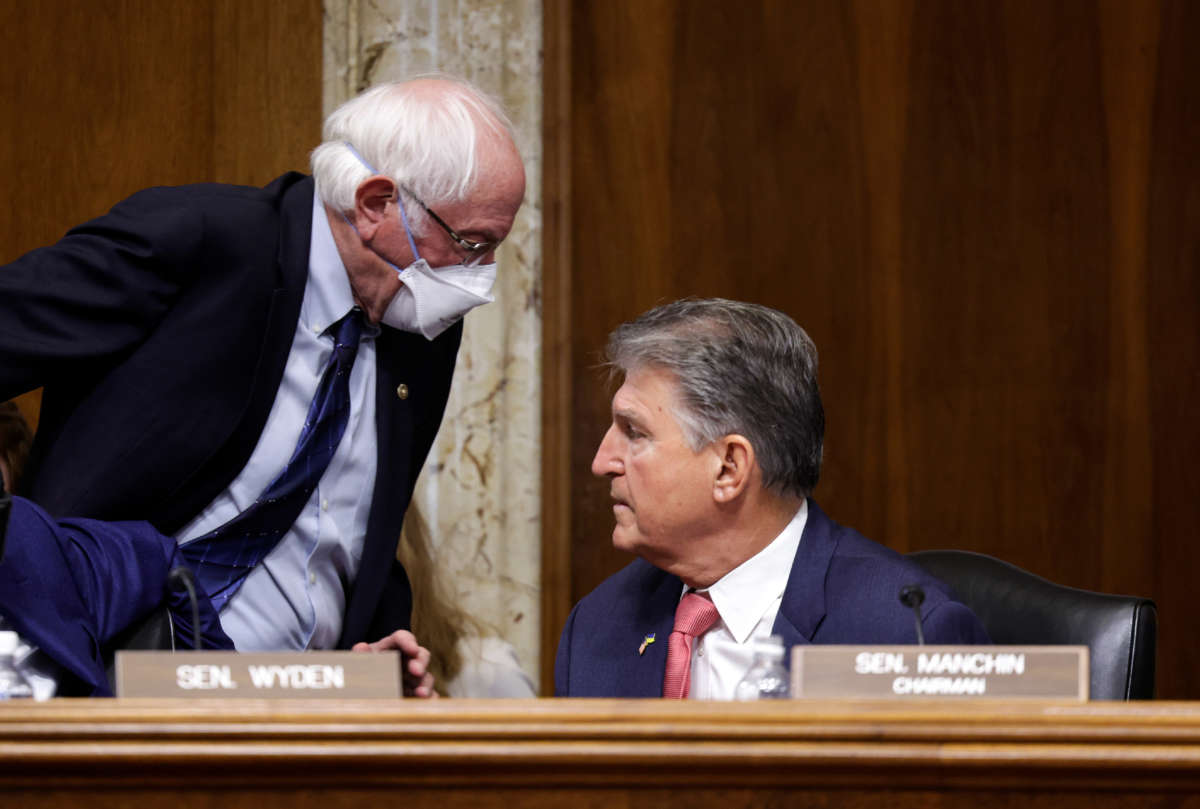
pixel 745 595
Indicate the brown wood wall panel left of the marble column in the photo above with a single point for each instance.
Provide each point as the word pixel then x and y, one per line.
pixel 104 99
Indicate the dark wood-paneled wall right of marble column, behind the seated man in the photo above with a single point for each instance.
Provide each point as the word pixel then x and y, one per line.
pixel 987 218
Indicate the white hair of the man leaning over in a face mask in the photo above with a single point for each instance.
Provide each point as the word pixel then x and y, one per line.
pixel 423 136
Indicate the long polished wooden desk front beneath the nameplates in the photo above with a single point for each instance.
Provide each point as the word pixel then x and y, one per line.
pixel 579 754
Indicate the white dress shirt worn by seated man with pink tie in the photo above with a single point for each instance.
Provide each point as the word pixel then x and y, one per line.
pixel 748 601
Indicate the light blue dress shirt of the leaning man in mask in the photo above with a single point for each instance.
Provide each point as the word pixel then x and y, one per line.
pixel 296 598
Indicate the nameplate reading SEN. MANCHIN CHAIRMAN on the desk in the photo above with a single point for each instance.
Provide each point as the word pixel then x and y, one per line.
pixel 1039 673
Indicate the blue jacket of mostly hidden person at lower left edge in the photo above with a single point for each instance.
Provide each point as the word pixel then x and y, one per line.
pixel 71 586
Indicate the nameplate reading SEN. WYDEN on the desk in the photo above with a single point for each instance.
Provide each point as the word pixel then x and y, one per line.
pixel 260 675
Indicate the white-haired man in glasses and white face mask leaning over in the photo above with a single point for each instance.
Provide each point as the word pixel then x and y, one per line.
pixel 261 373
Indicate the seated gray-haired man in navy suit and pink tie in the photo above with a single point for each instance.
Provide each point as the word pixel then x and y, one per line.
pixel 715 450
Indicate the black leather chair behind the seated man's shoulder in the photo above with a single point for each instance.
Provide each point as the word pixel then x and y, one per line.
pixel 1018 608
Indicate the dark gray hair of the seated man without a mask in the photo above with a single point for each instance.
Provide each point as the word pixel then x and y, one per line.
pixel 740 369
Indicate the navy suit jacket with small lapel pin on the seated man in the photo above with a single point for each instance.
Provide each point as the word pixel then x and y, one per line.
pixel 844 589
